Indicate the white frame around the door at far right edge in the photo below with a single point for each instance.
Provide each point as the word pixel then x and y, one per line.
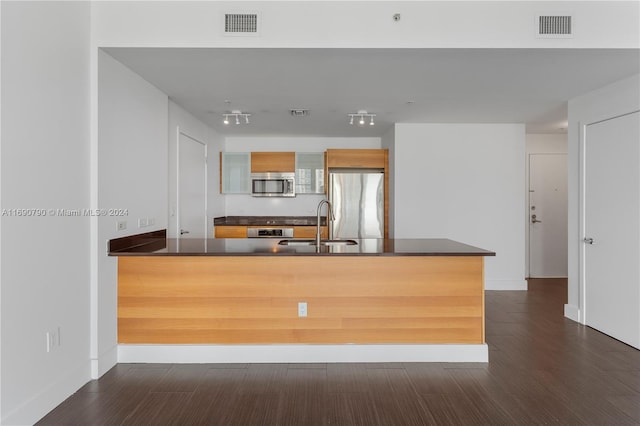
pixel 582 193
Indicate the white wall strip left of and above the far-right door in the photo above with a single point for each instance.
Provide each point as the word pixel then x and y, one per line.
pixel 610 101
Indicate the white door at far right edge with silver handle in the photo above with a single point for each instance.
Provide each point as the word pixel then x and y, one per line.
pixel 612 227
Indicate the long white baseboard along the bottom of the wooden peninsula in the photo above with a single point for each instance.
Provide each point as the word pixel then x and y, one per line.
pixel 302 353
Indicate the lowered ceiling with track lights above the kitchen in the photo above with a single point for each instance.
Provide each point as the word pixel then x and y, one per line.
pixel 529 86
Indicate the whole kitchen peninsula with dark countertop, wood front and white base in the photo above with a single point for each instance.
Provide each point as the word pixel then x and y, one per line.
pixel 255 300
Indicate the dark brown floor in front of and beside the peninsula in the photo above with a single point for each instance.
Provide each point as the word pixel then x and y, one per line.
pixel 543 369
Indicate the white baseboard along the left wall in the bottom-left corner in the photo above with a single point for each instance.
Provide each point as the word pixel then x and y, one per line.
pixel 49 397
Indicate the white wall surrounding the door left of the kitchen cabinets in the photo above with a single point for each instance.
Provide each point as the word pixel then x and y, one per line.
pixel 183 121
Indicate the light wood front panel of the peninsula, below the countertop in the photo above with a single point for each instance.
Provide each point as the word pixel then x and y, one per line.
pixel 358 299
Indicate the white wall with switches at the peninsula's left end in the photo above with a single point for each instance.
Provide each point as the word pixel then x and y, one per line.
pixel 132 174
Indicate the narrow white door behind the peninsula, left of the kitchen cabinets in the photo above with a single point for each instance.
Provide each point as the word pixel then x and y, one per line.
pixel 192 188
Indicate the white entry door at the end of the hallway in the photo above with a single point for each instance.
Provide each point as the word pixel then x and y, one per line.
pixel 547 215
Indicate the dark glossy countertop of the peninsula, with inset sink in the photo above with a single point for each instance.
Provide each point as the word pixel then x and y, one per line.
pixel 154 244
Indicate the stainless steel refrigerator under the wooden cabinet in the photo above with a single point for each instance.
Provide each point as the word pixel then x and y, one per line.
pixel 357 199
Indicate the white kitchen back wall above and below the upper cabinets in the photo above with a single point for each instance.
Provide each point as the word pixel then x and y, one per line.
pixel 303 204
